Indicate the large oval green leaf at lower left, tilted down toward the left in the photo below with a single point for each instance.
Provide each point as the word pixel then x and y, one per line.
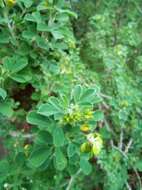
pixel 39 156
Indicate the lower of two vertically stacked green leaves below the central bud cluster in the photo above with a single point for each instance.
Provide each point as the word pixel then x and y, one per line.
pixel 60 160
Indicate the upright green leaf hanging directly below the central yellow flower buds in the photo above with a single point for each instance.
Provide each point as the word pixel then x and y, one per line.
pixel 58 137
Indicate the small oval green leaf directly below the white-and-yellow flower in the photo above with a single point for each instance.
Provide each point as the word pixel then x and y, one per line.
pixel 85 166
